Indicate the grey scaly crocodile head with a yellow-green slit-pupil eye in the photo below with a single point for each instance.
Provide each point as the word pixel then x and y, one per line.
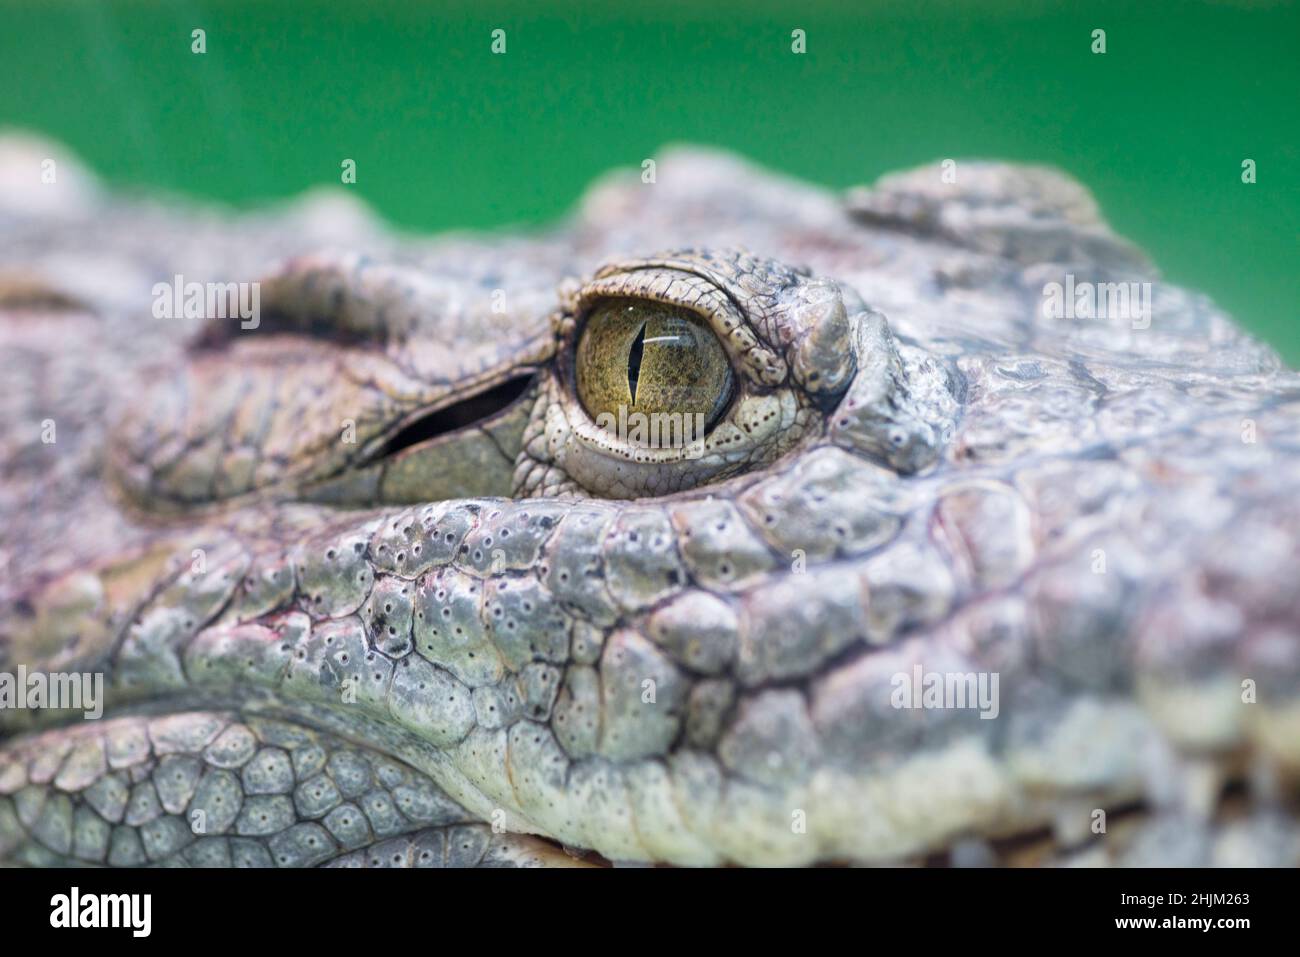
pixel 950 575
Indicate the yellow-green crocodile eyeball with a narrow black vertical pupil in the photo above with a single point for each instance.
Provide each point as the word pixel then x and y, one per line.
pixel 649 358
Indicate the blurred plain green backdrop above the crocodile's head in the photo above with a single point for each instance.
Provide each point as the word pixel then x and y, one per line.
pixel 447 135
